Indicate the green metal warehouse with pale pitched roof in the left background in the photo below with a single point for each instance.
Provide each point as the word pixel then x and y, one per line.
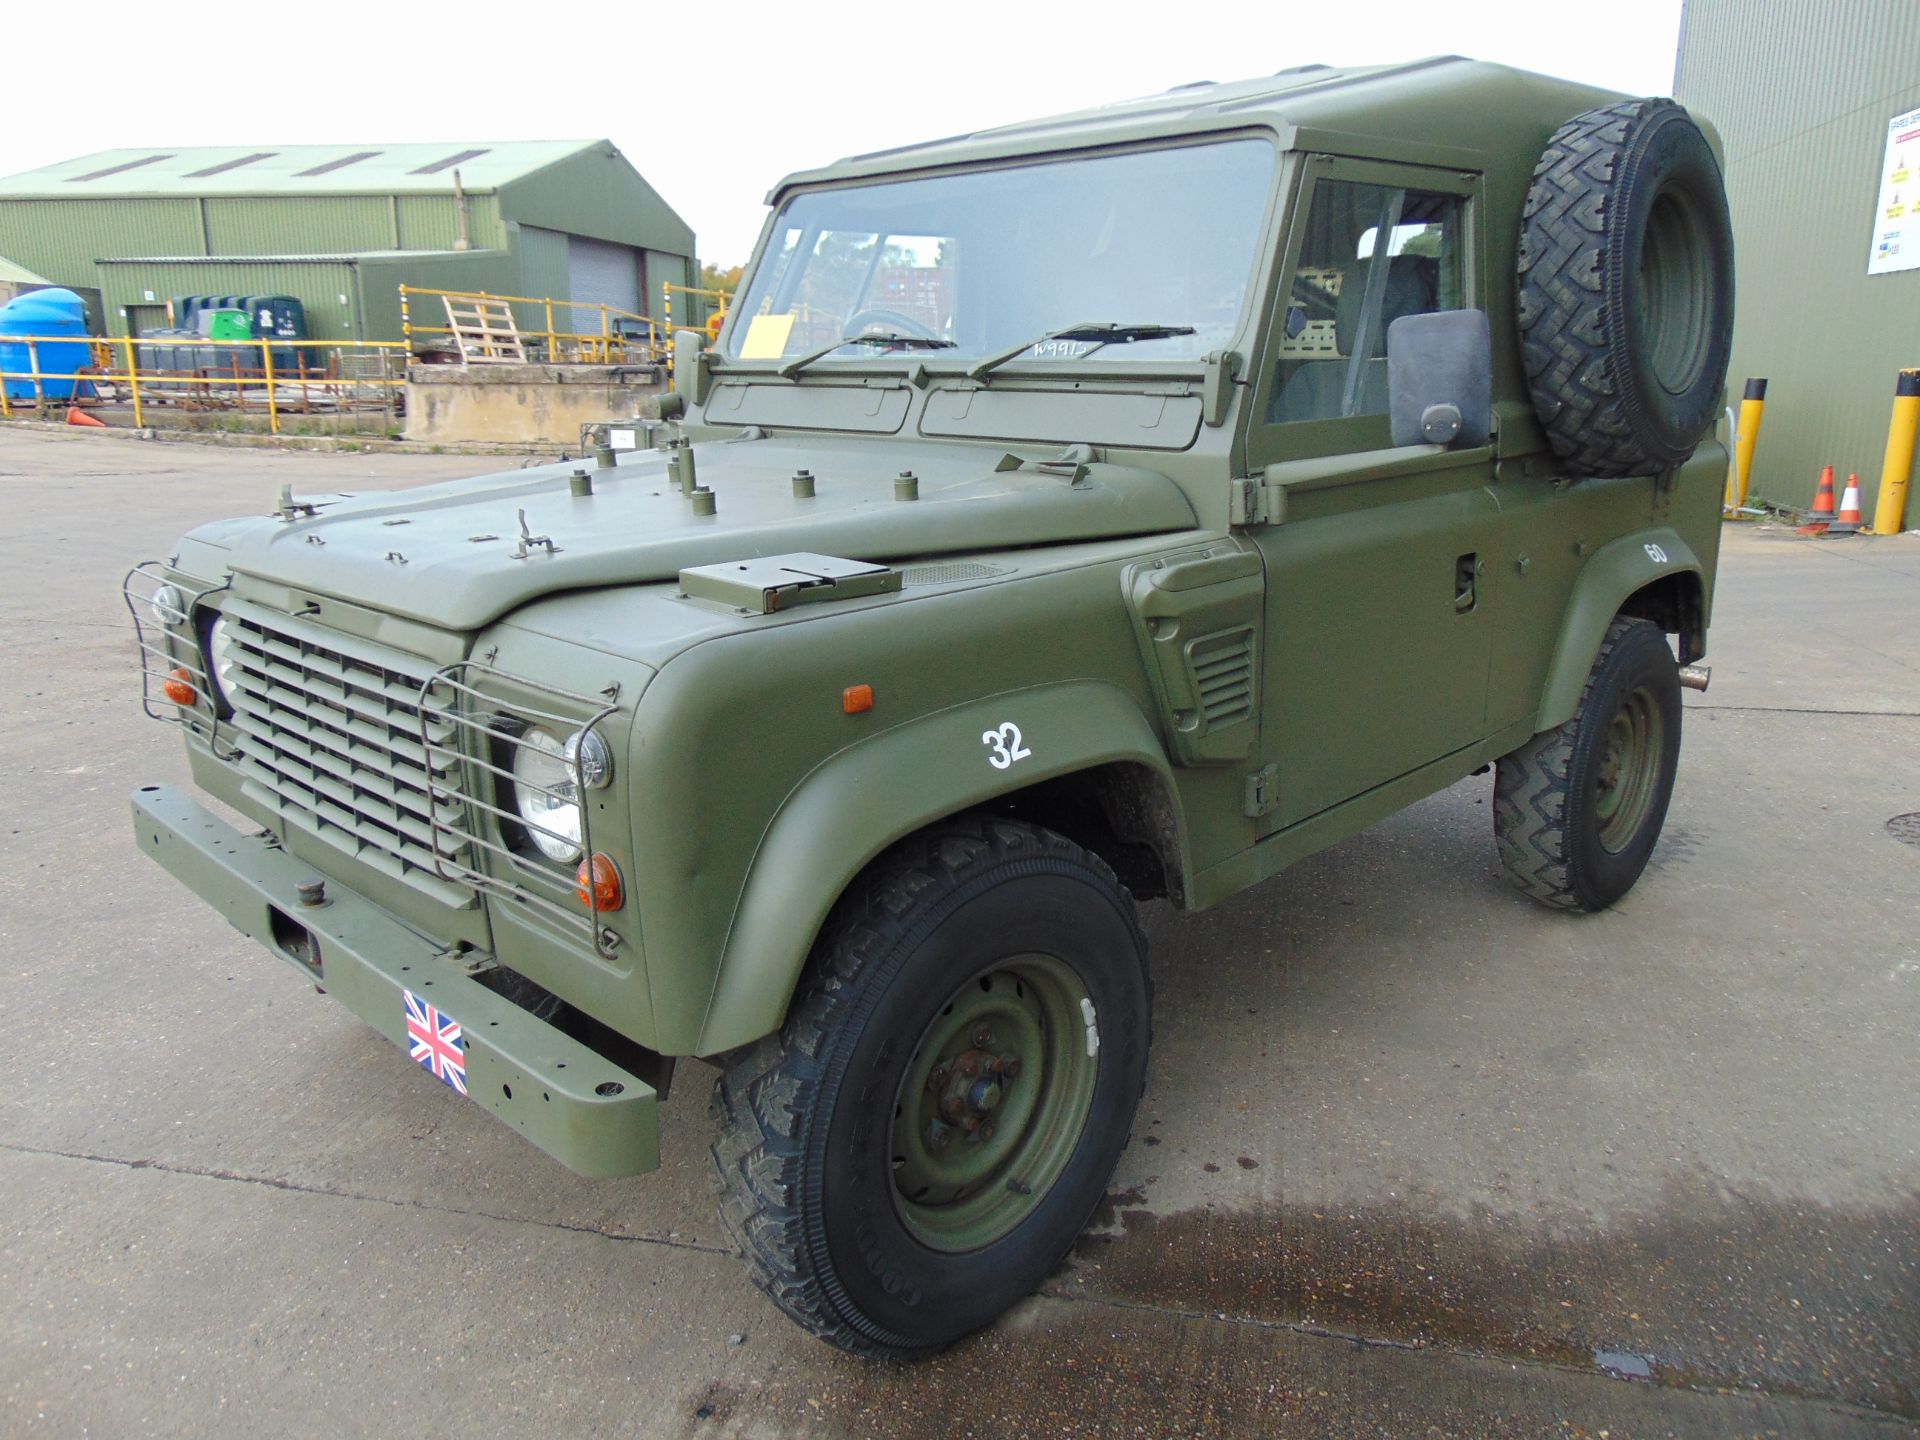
pixel 343 228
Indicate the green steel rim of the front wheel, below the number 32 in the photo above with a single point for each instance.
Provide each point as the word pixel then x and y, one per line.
pixel 994 1103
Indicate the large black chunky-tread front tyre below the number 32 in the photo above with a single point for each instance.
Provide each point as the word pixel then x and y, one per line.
pixel 807 1157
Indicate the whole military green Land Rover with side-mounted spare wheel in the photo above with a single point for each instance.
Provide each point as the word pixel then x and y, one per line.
pixel 1109 508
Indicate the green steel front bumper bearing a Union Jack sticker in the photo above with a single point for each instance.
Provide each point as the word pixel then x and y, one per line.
pixel 581 1109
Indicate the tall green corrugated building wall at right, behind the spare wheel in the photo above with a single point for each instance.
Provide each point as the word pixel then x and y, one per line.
pixel 1802 93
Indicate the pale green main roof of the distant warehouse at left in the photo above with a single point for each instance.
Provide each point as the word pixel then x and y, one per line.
pixel 252 170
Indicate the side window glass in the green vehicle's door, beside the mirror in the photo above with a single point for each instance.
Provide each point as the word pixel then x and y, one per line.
pixel 1349 285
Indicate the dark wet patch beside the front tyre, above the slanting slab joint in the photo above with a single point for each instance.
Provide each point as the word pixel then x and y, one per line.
pixel 1712 1291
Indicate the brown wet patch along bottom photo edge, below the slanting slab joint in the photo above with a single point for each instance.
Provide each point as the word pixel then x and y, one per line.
pixel 1111 1372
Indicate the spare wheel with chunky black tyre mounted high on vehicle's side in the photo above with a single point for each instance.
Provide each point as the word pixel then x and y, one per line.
pixel 1627 289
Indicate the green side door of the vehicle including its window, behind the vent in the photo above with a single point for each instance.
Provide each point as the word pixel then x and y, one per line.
pixel 1378 631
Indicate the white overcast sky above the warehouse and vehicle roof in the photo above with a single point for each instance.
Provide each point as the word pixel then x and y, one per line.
pixel 757 91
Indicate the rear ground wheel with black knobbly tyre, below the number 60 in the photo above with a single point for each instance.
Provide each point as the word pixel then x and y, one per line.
pixel 1562 828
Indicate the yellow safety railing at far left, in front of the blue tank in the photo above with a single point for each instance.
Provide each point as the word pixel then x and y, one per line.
pixel 251 372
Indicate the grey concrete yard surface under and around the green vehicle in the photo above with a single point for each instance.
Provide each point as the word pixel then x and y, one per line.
pixel 1416 1155
